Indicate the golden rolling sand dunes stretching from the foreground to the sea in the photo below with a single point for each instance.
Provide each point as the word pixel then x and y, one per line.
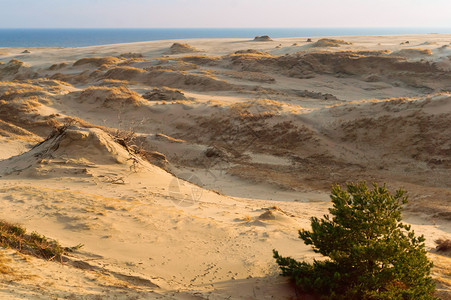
pixel 180 168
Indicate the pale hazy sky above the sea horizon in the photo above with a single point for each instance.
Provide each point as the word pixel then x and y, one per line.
pixel 224 13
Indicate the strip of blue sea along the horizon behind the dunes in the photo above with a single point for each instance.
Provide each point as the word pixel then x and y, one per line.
pixel 92 37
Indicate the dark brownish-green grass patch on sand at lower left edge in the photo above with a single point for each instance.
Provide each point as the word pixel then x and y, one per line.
pixel 15 237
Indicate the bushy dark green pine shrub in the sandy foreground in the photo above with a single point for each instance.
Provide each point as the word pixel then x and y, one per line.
pixel 372 254
